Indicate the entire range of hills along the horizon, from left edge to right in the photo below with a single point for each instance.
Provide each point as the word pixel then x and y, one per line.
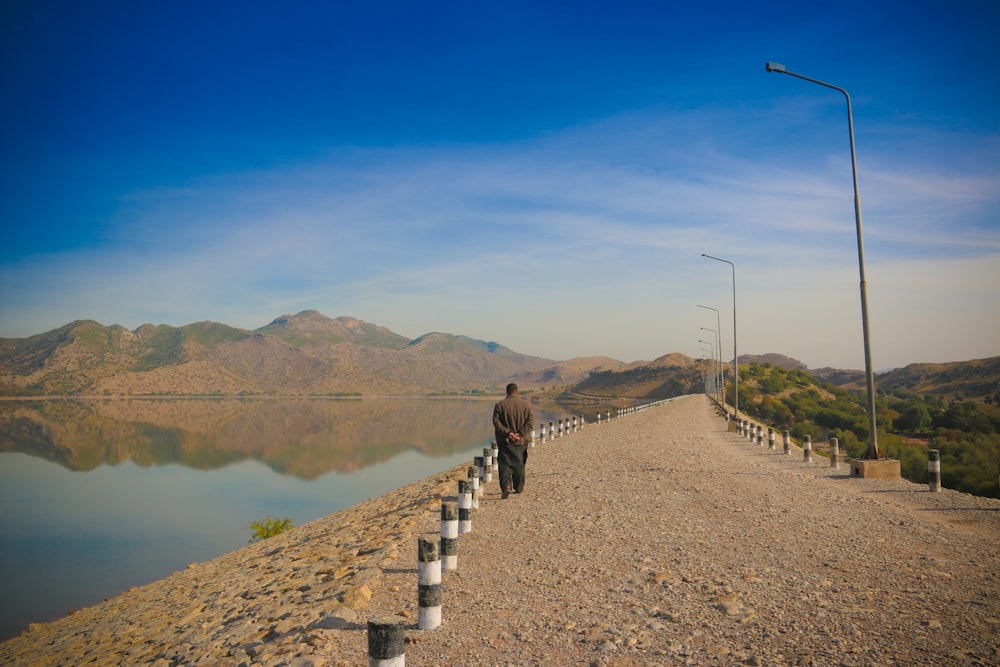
pixel 309 353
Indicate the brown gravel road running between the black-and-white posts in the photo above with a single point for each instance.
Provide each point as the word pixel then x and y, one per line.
pixel 663 539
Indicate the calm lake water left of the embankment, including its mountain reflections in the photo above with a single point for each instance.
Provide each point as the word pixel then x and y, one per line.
pixel 99 496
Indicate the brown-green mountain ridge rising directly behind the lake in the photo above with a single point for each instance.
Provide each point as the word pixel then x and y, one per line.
pixel 306 353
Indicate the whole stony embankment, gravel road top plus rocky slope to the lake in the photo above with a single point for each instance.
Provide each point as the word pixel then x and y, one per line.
pixel 656 539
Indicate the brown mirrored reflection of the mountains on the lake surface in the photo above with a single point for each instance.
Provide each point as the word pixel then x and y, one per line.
pixel 306 438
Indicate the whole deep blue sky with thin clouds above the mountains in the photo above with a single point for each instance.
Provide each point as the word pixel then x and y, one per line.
pixel 543 175
